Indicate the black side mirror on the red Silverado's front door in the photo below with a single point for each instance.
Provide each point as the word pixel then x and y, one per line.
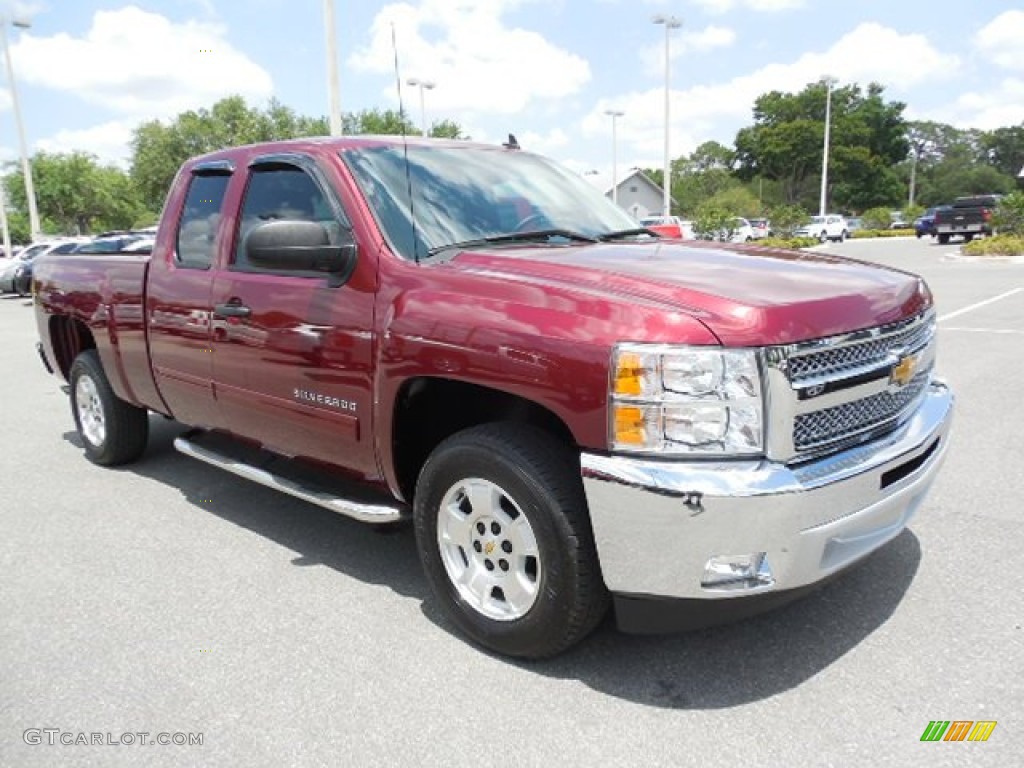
pixel 302 247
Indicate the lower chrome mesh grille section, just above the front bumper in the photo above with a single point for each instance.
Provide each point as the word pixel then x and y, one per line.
pixel 841 422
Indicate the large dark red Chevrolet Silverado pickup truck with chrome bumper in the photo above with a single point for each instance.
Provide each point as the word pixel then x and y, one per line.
pixel 573 412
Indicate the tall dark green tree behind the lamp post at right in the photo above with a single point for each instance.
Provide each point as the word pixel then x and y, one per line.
pixel 787 141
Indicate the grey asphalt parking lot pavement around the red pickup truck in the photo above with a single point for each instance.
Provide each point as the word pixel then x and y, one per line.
pixel 170 598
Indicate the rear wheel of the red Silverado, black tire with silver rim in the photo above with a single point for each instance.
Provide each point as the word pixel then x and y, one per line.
pixel 125 429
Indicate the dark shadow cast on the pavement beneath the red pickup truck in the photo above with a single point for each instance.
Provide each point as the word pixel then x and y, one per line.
pixel 716 668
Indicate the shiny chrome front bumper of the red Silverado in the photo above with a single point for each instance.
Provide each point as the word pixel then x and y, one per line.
pixel 657 524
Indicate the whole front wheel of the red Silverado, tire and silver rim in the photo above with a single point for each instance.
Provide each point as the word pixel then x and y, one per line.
pixel 505 540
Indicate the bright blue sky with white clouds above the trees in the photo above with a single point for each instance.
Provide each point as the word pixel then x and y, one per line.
pixel 88 72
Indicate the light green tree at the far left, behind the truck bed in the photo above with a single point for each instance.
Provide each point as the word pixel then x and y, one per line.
pixel 76 195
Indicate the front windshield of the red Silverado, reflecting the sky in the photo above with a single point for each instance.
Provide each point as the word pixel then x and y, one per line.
pixel 472 193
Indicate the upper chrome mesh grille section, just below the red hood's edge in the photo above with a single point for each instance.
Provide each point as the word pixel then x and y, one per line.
pixel 834 362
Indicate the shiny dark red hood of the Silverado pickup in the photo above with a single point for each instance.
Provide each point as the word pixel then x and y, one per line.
pixel 746 295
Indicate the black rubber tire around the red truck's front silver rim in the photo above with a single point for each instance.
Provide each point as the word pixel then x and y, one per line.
pixel 541 478
